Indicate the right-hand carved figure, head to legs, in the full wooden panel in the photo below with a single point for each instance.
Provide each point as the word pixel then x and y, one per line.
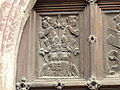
pixel 70 32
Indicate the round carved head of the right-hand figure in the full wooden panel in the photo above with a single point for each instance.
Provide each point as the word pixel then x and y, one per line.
pixel 72 21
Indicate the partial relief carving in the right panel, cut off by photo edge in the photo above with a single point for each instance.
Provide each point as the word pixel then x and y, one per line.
pixel 113 40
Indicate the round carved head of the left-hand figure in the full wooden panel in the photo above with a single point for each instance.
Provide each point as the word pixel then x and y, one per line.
pixel 47 22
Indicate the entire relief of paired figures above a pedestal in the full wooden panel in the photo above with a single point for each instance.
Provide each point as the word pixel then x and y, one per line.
pixel 59 46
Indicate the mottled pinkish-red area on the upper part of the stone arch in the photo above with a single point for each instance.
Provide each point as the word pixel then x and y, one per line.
pixel 11 24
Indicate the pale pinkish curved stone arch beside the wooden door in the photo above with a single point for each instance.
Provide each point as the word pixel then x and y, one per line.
pixel 13 14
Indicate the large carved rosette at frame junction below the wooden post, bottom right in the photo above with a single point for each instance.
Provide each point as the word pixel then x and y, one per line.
pixel 93 84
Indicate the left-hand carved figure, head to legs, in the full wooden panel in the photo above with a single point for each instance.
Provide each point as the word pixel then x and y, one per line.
pixel 49 33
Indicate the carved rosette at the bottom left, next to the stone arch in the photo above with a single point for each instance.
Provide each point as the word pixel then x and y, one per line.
pixel 23 84
